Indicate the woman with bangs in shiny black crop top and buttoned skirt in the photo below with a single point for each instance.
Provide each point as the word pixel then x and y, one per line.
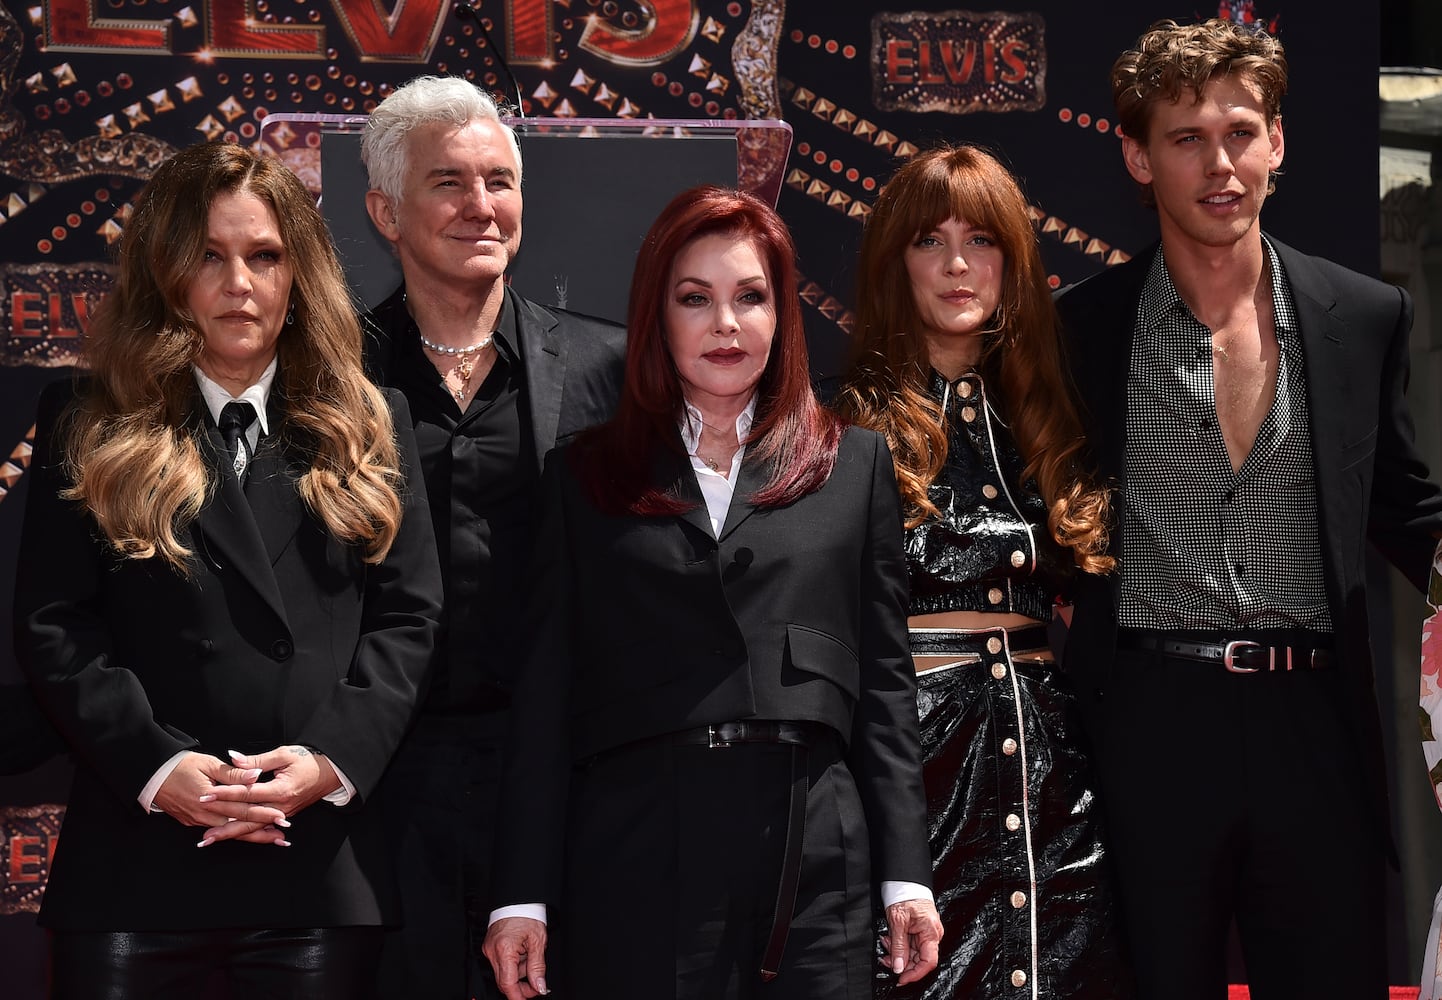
pixel 958 366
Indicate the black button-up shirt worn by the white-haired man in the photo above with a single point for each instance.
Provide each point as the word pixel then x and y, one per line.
pixel 481 474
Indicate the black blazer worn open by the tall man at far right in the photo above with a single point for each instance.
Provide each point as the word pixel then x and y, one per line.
pixel 1372 486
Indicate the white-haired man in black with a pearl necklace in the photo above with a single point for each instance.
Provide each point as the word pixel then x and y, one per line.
pixel 494 383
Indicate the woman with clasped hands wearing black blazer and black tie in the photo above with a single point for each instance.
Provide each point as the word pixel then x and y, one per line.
pixel 226 598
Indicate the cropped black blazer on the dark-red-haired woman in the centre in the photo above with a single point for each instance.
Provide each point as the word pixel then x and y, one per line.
pixel 655 626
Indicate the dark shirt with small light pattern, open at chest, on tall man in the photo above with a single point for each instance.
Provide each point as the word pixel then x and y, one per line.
pixel 1205 548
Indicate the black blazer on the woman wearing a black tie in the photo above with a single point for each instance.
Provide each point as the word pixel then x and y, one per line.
pixel 280 636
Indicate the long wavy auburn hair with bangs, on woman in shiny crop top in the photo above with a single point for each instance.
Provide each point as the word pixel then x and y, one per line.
pixel 888 386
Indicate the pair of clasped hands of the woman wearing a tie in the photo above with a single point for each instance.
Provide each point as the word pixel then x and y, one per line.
pixel 233 803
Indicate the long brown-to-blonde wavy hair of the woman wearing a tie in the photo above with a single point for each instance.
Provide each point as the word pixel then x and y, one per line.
pixel 132 441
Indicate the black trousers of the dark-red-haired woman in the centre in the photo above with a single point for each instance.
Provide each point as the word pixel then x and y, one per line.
pixel 674 861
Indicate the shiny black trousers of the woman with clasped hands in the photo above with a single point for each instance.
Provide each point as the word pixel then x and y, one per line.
pixel 242 965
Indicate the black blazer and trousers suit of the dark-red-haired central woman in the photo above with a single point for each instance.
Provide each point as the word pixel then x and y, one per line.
pixel 661 862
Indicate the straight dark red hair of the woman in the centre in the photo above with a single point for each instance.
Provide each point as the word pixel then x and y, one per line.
pixel 791 431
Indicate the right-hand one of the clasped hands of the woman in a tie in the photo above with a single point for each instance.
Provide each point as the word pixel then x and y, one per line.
pixel 299 778
